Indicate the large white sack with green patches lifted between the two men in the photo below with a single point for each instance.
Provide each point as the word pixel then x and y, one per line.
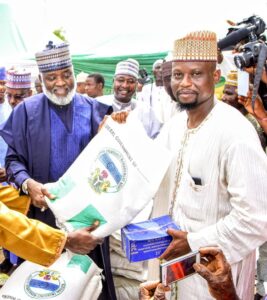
pixel 112 180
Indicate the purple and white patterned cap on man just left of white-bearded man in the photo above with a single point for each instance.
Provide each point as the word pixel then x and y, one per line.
pixel 18 79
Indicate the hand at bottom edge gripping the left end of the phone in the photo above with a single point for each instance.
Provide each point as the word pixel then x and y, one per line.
pixel 152 289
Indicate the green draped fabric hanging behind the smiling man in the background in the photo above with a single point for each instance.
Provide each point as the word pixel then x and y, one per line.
pixel 106 65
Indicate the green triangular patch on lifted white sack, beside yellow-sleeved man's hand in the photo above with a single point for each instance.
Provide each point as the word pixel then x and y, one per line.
pixel 86 218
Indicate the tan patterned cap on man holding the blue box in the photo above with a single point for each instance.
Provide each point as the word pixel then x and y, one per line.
pixel 196 46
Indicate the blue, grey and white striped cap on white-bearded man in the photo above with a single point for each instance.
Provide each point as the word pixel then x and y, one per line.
pixel 54 57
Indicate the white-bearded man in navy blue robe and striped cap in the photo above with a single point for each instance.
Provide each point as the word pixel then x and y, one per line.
pixel 46 133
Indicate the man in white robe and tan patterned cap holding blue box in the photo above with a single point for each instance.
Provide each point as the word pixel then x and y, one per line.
pixel 216 198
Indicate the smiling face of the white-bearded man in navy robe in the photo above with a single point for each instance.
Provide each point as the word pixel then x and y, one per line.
pixel 59 86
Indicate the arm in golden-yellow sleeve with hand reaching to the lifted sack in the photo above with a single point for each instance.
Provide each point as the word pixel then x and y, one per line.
pixel 37 242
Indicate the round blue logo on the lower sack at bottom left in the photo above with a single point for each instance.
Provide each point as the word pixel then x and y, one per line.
pixel 44 284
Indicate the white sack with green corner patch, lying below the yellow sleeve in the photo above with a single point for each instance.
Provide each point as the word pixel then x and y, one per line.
pixel 71 277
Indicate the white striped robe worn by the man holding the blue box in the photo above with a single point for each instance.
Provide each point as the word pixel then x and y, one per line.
pixel 229 208
